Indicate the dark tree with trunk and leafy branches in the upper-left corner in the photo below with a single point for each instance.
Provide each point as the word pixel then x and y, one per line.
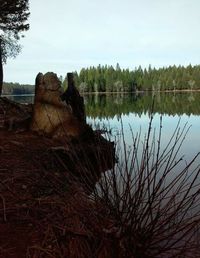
pixel 13 21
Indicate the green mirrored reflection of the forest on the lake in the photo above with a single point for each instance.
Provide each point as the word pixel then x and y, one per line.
pixel 107 106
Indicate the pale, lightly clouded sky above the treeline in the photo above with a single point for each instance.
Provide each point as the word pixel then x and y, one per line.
pixel 66 36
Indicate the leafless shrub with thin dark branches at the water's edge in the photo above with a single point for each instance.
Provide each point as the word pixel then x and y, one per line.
pixel 153 197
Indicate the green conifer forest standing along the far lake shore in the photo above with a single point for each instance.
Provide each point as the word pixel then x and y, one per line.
pixel 109 79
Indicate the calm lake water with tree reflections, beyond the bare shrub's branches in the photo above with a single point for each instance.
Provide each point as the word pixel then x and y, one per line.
pixel 134 112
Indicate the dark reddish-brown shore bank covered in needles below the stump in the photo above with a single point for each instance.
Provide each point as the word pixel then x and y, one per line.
pixel 45 205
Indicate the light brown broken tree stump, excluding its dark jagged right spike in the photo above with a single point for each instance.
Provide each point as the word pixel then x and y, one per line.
pixel 52 116
